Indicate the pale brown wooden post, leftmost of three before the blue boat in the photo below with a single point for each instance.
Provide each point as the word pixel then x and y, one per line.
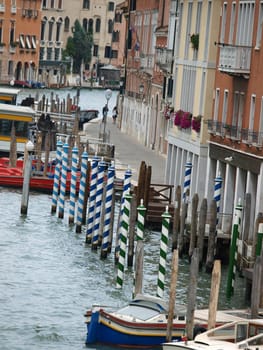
pixel 172 296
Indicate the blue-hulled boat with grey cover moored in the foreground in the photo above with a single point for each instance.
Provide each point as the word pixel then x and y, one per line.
pixel 142 323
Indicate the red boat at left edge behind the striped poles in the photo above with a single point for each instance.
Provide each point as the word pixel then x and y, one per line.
pixel 13 177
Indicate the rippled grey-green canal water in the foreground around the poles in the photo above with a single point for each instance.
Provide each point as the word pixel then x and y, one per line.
pixel 49 277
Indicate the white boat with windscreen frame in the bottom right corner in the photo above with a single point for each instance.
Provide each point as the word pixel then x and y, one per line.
pixel 242 334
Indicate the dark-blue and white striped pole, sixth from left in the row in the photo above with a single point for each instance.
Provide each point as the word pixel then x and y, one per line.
pixel 98 206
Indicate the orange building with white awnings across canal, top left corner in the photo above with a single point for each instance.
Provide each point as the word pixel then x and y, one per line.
pixel 19 46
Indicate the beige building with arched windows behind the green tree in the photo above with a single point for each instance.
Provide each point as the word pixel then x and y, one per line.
pixel 58 20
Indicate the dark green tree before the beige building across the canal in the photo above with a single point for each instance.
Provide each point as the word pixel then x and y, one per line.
pixel 79 47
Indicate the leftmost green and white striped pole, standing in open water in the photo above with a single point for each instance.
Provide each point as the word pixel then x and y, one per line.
pixel 123 239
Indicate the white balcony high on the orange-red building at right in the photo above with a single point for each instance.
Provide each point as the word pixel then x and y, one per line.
pixel 235 59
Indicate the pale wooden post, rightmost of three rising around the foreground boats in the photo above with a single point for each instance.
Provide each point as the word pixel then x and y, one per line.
pixel 214 293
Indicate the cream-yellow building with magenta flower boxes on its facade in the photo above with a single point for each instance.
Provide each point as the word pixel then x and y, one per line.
pixel 196 29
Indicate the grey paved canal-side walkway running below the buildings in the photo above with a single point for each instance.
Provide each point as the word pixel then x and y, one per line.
pixel 129 152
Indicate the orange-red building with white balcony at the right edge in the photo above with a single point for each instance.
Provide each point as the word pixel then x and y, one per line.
pixel 236 125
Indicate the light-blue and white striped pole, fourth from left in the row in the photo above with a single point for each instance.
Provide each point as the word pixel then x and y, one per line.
pixel 82 187
